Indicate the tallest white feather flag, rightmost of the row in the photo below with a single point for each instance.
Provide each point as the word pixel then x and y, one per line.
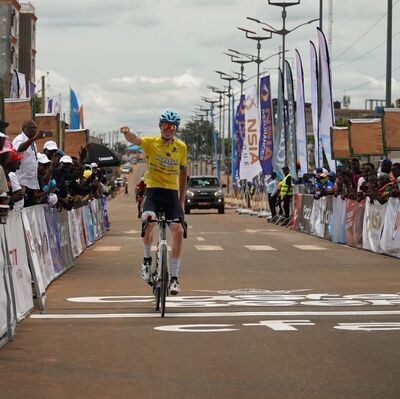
pixel 327 117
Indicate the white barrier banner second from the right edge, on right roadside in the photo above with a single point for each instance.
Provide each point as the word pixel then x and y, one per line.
pixel 374 217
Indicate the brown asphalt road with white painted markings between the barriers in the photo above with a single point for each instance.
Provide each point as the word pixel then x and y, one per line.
pixel 264 313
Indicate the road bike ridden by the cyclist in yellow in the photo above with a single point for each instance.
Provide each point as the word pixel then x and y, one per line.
pixel 160 277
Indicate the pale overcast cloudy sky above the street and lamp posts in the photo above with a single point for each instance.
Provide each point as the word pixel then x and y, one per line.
pixel 128 60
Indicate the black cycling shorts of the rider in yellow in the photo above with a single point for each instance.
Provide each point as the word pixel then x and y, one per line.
pixel 161 199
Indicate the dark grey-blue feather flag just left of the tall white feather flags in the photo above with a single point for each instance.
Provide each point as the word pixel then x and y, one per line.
pixel 291 125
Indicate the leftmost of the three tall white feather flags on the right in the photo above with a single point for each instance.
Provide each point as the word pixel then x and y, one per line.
pixel 301 130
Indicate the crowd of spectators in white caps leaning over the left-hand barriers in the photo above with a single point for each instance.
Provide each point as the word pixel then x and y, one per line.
pixel 28 177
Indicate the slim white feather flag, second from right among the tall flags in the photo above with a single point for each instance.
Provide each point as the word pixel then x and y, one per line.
pixel 315 106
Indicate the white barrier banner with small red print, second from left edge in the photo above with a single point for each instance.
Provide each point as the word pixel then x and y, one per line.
pixel 18 258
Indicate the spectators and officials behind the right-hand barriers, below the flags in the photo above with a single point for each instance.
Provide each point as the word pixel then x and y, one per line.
pixel 352 180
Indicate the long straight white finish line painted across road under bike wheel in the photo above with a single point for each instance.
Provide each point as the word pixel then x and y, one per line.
pixel 211 314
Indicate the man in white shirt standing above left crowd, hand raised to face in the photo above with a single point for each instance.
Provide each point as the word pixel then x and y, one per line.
pixel 27 174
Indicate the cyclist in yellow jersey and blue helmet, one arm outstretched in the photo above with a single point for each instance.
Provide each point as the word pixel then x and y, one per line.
pixel 165 178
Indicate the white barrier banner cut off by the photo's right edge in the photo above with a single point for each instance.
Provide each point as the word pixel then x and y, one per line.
pixel 390 241
